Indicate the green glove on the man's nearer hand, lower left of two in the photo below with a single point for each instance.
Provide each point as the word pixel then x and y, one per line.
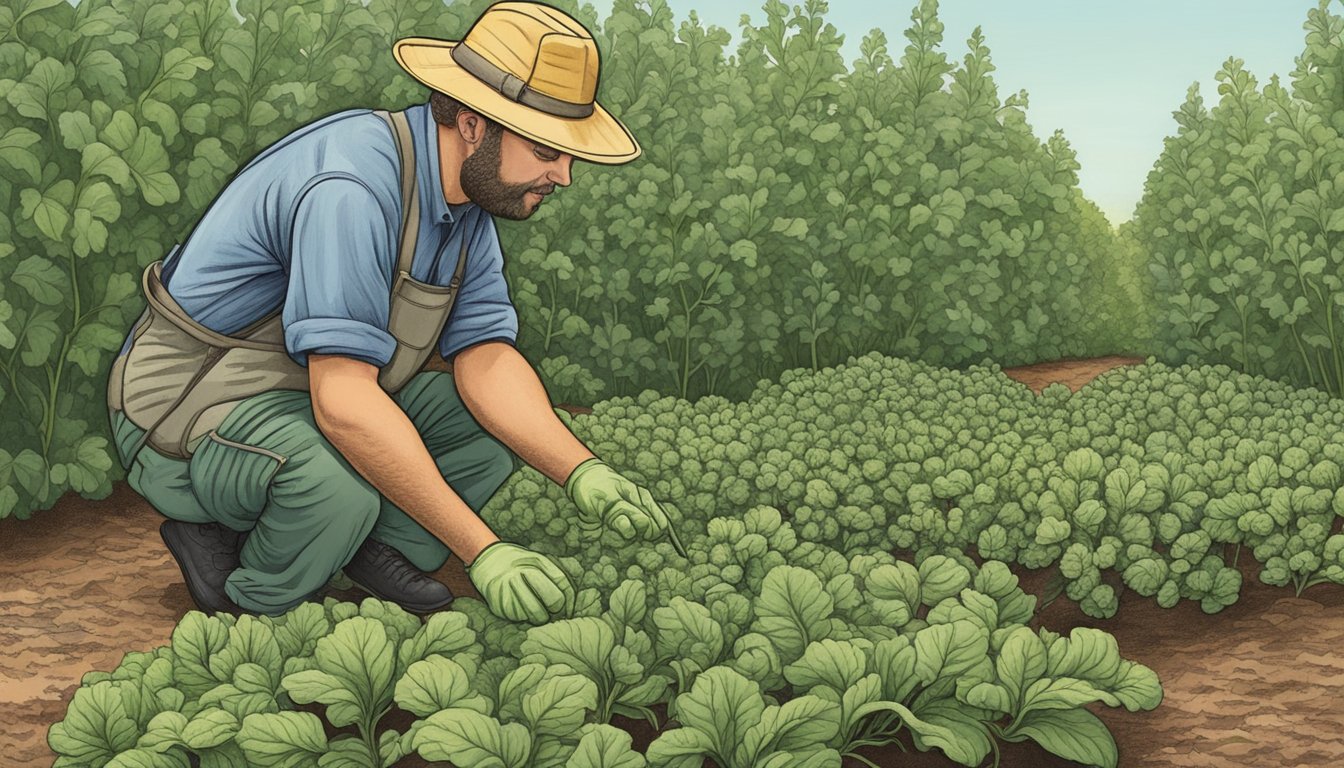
pixel 519 584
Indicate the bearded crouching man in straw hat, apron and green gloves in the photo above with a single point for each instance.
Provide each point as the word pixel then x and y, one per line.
pixel 271 401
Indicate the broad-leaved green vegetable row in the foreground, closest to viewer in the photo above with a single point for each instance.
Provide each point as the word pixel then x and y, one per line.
pixel 799 675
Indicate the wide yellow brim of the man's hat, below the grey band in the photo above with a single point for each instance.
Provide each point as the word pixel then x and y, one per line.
pixel 599 138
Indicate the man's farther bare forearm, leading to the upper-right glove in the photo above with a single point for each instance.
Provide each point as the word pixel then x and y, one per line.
pixel 505 395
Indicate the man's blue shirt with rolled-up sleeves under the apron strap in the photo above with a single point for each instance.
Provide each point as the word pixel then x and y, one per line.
pixel 312 224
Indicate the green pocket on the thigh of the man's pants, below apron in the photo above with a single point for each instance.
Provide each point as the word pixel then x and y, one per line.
pixel 233 479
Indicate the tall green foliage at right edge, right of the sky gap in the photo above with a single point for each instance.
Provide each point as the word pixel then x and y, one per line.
pixel 1243 220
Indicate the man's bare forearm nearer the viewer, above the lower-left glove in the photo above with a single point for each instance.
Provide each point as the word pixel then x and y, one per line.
pixel 382 445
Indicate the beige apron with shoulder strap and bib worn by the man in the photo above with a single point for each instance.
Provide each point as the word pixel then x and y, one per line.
pixel 179 380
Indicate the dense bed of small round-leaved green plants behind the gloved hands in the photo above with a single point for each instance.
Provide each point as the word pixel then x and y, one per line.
pixel 1152 478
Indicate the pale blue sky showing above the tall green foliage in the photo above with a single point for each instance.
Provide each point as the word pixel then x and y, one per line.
pixel 1109 75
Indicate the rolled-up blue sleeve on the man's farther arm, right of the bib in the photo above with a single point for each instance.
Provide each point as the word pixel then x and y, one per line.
pixel 483 311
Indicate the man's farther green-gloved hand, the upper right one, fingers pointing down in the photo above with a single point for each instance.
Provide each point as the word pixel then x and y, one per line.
pixel 607 498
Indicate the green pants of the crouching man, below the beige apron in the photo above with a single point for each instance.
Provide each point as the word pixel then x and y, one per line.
pixel 269 471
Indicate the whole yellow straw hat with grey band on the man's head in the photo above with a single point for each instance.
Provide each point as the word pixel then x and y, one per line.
pixel 532 68
